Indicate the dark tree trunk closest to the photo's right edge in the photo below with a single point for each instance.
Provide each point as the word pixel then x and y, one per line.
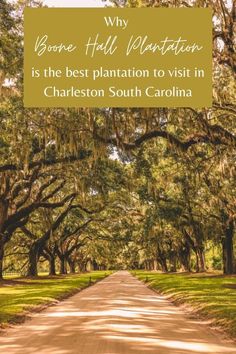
pixel 228 249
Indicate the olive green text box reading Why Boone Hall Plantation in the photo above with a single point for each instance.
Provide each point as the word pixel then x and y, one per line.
pixel 106 57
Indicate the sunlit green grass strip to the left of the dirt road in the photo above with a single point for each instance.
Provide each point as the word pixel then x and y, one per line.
pixel 18 296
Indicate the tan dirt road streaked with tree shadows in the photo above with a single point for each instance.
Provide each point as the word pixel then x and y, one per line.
pixel 119 315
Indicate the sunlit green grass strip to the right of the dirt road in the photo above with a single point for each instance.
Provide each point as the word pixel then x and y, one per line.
pixel 211 296
